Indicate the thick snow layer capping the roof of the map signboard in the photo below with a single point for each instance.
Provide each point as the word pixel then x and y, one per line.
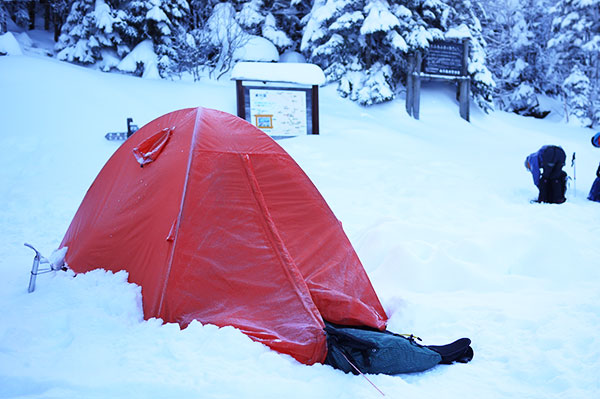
pixel 288 72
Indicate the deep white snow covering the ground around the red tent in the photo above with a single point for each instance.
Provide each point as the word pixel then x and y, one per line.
pixel 437 209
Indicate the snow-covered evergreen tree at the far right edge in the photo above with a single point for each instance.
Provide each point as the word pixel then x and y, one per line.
pixel 576 63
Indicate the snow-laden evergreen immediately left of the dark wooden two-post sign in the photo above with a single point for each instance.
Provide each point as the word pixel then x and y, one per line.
pixel 358 44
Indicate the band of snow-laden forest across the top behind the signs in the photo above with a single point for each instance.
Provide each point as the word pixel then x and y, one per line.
pixel 520 51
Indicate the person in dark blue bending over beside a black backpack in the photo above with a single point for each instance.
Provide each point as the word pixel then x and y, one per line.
pixel 546 166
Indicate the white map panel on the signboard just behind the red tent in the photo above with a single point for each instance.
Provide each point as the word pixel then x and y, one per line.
pixel 279 112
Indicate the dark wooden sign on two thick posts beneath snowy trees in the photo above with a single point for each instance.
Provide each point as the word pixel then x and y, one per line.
pixel 445 60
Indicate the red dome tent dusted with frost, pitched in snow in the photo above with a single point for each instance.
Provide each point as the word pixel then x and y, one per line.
pixel 216 222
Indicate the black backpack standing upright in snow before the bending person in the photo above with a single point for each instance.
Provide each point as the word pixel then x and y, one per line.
pixel 553 182
